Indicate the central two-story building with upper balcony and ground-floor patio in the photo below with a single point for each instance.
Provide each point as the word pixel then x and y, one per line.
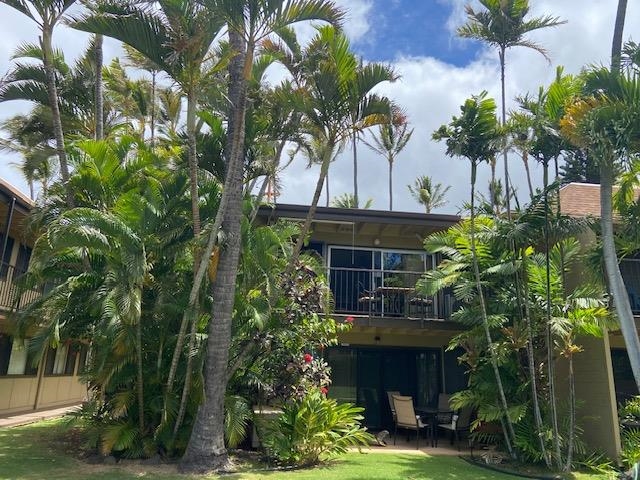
pixel 373 260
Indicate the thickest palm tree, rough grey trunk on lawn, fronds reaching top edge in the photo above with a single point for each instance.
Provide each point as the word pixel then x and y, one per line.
pixel 249 22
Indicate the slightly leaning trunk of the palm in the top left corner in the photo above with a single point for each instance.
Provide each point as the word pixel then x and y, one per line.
pixel 52 90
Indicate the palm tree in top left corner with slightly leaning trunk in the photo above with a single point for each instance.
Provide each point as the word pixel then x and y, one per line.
pixel 46 14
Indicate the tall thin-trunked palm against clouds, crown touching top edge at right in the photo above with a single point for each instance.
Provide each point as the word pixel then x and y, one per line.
pixel 502 24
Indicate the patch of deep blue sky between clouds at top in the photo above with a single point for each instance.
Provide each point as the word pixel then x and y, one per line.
pixel 413 28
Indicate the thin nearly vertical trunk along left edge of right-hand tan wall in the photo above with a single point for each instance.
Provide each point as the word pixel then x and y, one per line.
pixel 549 335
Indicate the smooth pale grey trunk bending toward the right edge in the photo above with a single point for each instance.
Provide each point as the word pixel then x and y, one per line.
pixel 614 277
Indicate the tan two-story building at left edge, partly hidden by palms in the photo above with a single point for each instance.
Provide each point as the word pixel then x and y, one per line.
pixel 28 383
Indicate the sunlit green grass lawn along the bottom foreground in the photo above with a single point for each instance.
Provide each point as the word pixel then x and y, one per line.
pixel 46 450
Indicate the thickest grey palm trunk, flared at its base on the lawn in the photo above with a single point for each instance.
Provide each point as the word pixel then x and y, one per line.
pixel 206 449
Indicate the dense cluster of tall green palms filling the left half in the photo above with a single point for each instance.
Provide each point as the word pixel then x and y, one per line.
pixel 149 228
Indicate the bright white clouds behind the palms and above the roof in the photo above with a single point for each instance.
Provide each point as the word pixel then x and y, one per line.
pixel 431 92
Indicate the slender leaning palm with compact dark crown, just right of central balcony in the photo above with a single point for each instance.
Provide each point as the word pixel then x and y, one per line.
pixel 476 136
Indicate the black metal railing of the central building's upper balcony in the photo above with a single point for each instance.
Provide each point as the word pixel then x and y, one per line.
pixel 379 293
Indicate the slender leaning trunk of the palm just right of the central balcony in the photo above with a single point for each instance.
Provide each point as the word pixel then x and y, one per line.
pixel 510 434
